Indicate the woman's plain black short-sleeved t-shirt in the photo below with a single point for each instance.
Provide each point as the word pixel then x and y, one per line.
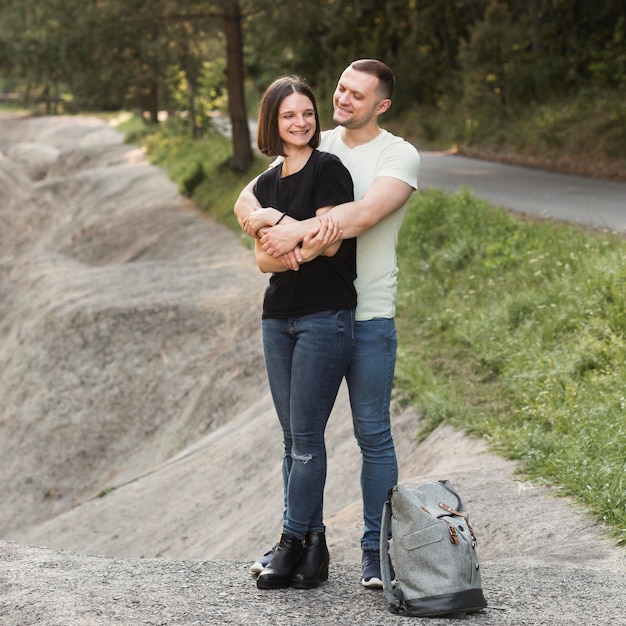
pixel 325 283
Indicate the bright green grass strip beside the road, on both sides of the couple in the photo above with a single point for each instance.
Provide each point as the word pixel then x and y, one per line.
pixel 512 330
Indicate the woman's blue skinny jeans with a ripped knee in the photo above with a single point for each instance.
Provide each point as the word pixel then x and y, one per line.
pixel 306 359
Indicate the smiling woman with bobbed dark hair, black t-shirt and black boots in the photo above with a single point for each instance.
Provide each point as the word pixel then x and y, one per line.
pixel 307 321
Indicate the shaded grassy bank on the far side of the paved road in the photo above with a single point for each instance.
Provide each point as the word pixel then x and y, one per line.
pixel 585 135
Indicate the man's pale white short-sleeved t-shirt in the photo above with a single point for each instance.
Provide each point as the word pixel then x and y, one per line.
pixel 377 271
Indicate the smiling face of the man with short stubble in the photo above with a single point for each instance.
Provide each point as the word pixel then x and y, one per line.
pixel 356 100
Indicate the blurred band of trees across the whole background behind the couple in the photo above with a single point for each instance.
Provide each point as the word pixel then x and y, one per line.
pixel 477 59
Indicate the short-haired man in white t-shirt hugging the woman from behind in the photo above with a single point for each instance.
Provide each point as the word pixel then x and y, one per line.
pixel 384 169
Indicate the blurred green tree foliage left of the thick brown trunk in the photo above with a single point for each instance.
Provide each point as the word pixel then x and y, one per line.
pixel 109 55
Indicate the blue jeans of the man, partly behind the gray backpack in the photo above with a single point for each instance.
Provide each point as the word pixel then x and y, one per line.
pixel 370 380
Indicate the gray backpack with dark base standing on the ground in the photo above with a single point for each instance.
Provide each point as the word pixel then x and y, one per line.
pixel 434 553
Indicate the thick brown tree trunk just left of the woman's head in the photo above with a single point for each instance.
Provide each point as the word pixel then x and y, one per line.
pixel 242 150
